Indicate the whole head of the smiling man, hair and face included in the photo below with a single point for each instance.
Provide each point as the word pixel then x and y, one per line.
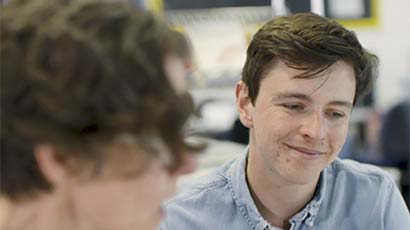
pixel 302 76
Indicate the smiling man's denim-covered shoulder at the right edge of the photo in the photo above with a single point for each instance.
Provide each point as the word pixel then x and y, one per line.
pixel 365 193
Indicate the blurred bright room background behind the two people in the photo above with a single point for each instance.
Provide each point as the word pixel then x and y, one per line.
pixel 220 31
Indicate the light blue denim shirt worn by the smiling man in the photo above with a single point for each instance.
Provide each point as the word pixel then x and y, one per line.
pixel 349 196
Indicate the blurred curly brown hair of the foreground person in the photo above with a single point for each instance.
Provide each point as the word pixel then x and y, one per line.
pixel 76 73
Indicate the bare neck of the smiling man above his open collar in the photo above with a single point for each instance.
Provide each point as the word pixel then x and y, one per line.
pixel 276 199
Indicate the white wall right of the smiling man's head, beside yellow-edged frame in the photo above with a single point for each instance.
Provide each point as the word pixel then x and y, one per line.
pixel 391 42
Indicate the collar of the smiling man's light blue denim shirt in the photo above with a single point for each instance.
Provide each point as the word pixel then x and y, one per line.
pixel 244 201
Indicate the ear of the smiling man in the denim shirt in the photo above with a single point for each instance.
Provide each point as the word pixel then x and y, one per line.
pixel 244 104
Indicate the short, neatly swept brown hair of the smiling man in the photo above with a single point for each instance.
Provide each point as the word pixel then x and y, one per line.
pixel 308 42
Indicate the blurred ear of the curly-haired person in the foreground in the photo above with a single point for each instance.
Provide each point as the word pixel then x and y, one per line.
pixel 52 169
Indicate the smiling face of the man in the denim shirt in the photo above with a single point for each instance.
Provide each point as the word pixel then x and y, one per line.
pixel 298 125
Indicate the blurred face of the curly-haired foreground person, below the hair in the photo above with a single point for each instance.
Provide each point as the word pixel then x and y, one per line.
pixel 129 192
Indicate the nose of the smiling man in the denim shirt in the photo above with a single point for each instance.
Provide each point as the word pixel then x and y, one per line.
pixel 313 127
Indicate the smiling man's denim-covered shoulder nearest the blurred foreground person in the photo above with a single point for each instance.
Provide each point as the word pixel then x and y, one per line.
pixel 197 205
